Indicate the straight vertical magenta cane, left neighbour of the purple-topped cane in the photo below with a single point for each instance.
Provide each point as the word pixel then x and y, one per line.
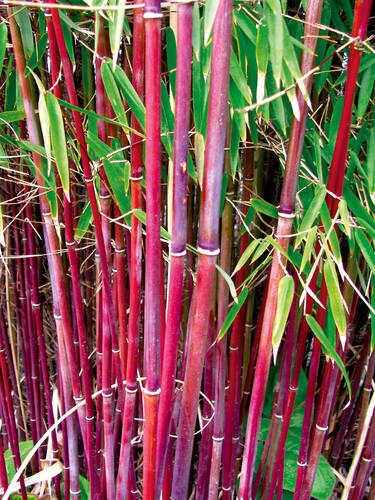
pixel 152 321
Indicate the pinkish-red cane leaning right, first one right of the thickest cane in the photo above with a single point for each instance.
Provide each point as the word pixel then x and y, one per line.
pixel 285 222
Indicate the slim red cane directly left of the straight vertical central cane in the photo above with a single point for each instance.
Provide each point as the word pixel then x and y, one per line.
pixel 135 266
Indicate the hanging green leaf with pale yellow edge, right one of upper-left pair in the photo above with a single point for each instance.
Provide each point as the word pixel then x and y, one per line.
pixel 58 141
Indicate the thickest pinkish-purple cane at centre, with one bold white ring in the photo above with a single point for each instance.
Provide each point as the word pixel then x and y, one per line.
pixel 208 245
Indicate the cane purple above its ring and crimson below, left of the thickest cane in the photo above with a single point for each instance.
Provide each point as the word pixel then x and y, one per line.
pixel 179 233
